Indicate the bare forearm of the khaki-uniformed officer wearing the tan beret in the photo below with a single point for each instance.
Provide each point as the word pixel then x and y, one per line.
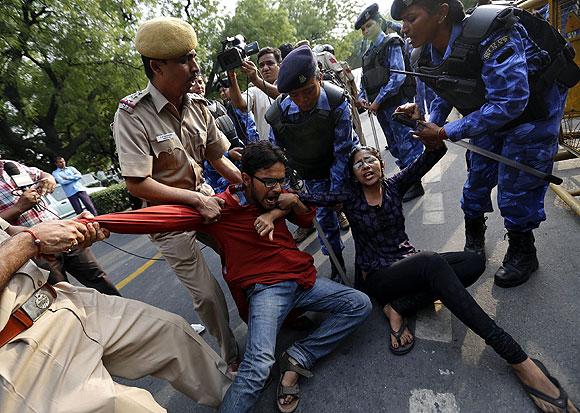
pixel 154 191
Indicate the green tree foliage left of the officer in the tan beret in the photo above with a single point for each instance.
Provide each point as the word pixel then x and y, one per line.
pixel 63 64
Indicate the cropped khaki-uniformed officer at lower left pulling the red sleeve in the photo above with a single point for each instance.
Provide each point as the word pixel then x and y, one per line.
pixel 60 345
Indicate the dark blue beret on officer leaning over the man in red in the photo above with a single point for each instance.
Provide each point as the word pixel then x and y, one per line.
pixel 296 69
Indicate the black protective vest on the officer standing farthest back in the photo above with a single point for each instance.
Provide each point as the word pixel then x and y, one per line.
pixel 376 75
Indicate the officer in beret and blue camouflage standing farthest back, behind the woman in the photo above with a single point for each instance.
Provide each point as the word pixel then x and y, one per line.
pixel 381 91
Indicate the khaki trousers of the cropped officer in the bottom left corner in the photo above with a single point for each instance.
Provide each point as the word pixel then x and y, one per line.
pixel 64 362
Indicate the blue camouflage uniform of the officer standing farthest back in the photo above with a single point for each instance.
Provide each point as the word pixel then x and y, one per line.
pixel 399 137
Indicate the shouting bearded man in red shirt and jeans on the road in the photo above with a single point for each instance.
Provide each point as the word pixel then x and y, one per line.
pixel 268 277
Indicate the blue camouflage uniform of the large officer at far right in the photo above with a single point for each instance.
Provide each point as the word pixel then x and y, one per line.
pixel 520 195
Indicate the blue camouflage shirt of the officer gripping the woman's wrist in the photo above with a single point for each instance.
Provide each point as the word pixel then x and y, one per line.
pixel 505 79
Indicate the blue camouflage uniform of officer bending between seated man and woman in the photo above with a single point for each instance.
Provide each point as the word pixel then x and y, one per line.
pixel 345 139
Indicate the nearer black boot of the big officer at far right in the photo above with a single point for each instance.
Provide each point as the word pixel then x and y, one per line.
pixel 519 262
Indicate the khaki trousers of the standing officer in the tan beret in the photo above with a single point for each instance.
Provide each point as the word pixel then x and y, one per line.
pixel 182 253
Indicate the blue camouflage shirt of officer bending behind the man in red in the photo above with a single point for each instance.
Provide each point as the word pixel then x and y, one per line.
pixel 345 137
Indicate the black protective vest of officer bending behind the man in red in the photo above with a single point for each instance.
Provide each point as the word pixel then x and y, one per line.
pixel 309 143
